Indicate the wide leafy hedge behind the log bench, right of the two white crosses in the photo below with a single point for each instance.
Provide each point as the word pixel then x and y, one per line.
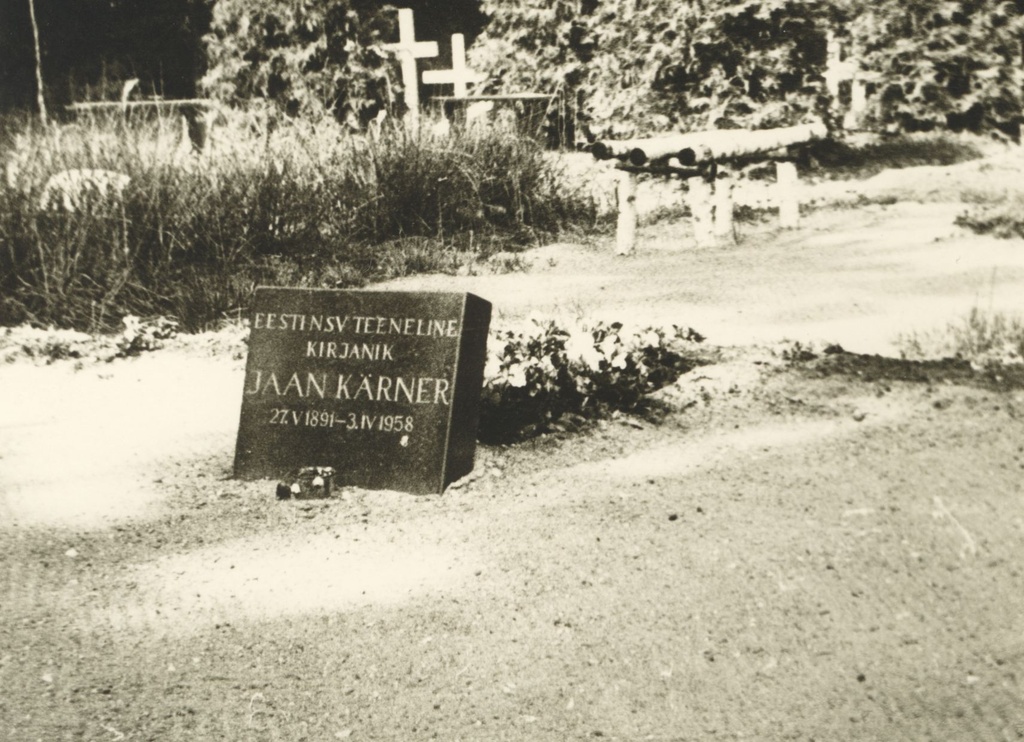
pixel 645 68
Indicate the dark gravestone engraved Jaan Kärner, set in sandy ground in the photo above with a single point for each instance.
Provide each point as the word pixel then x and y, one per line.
pixel 381 386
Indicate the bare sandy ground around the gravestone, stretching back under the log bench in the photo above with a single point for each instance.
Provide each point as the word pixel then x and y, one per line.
pixel 827 550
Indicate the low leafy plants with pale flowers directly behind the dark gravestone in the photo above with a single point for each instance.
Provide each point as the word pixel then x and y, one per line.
pixel 545 374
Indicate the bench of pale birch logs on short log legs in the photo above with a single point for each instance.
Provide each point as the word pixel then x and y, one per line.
pixel 698 158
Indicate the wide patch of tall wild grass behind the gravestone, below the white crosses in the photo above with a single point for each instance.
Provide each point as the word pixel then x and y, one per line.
pixel 103 219
